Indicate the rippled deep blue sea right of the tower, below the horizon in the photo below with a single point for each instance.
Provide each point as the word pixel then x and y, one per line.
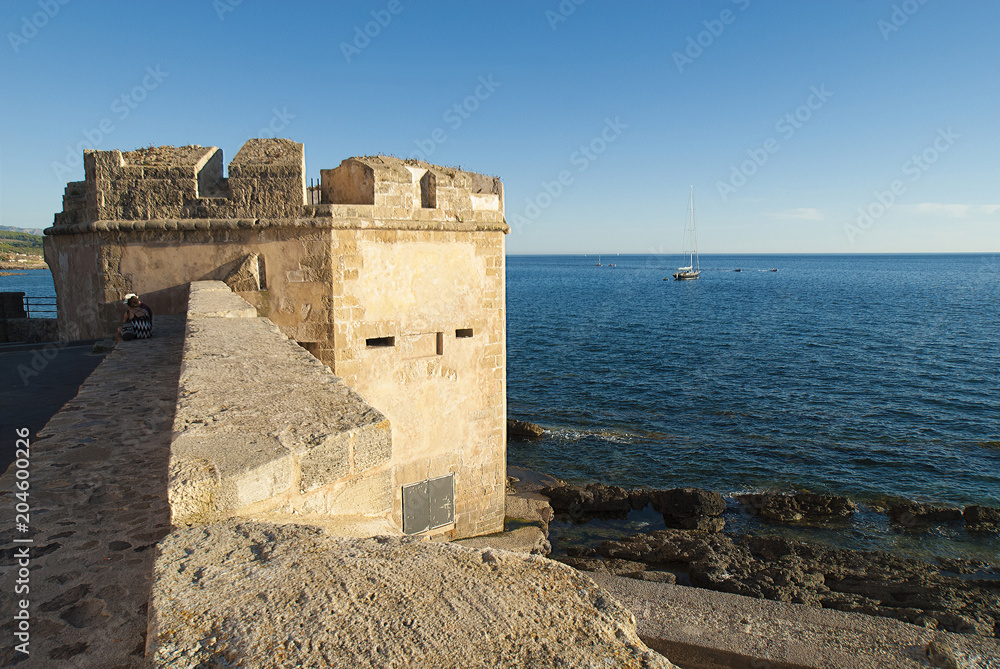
pixel 868 376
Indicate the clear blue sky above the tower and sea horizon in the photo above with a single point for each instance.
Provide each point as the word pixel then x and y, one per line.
pixel 842 104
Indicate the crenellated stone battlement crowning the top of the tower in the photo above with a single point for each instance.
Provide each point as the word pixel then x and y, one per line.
pixel 266 183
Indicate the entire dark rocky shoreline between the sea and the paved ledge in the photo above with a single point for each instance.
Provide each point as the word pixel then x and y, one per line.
pixel 956 595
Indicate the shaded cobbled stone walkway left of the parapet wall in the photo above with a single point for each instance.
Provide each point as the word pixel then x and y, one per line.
pixel 98 508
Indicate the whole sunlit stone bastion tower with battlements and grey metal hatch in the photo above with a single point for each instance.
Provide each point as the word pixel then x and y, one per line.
pixel 392 275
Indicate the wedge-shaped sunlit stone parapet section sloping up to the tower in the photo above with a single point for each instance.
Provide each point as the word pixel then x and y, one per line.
pixel 263 428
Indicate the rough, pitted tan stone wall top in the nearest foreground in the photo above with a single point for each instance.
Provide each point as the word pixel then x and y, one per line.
pixel 264 595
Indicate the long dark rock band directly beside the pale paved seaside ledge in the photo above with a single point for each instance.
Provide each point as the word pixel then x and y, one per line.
pixel 874 583
